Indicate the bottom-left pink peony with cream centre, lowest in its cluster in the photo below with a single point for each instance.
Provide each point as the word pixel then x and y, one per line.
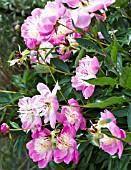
pixel 40 148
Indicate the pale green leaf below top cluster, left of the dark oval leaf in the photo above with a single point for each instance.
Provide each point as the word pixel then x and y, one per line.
pixel 41 68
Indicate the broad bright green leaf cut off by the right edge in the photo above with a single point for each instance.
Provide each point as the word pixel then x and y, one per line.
pixel 125 78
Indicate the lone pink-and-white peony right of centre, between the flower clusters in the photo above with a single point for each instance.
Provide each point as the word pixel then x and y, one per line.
pixel 86 70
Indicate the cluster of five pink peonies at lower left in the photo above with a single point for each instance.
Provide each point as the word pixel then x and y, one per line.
pixel 45 143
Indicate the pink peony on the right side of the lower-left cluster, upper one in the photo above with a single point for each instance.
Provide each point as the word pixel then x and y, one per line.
pixel 72 115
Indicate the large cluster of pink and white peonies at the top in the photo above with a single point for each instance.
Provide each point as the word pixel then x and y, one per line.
pixel 53 26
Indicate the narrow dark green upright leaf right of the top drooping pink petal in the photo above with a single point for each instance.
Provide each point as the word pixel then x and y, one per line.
pixel 104 31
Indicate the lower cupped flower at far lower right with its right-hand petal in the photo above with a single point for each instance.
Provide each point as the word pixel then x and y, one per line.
pixel 113 145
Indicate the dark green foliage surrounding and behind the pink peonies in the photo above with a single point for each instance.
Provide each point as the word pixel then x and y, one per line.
pixel 115 96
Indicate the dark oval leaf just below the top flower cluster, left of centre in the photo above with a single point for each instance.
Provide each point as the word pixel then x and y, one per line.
pixel 60 64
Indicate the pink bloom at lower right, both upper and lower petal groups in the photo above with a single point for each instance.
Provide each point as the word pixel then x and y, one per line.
pixel 108 144
